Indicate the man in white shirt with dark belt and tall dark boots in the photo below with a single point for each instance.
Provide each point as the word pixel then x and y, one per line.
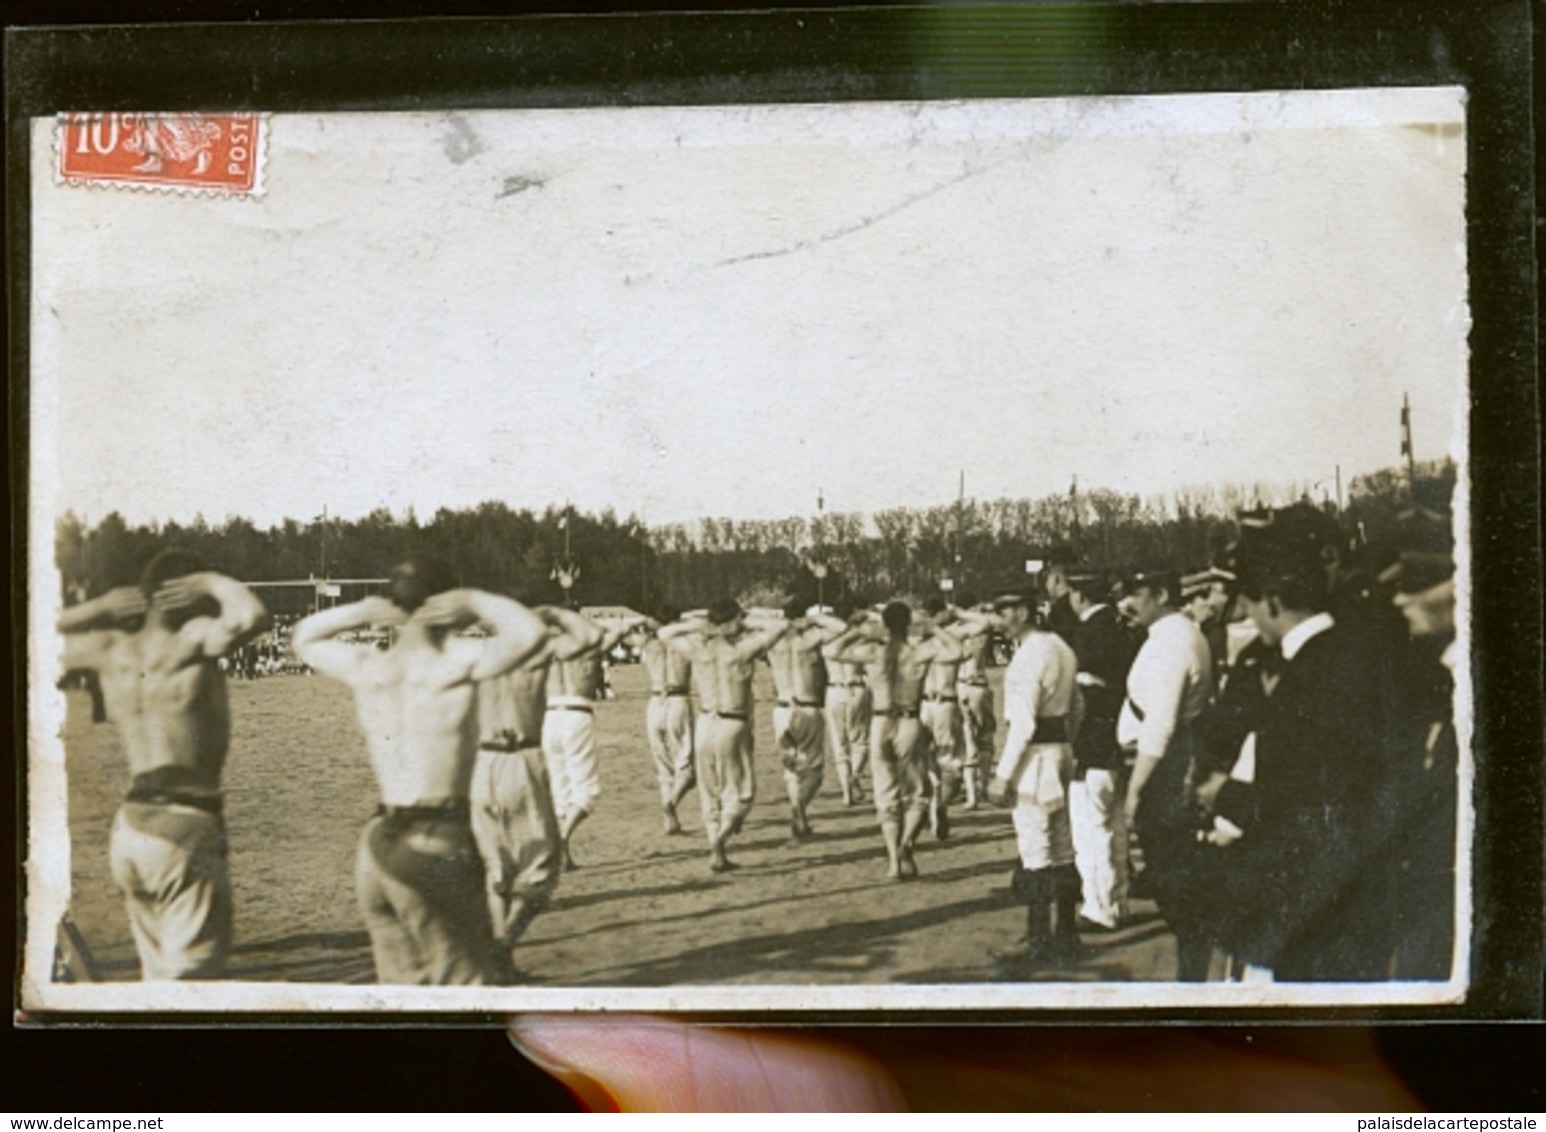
pixel 1043 707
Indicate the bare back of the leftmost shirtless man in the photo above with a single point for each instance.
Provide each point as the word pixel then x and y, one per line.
pixel 171 707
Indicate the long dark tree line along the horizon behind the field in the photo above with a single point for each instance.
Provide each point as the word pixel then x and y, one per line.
pixel 839 556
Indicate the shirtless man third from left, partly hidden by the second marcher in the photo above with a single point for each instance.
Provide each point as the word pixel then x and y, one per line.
pixel 512 805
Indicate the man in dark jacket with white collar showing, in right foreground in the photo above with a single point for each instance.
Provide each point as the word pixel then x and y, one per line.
pixel 1301 810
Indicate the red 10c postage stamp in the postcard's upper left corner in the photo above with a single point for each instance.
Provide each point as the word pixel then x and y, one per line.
pixel 179 152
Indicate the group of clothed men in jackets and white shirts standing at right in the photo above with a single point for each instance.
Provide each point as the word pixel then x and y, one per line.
pixel 1290 789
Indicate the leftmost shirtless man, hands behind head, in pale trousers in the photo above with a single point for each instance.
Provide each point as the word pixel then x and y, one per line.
pixel 155 652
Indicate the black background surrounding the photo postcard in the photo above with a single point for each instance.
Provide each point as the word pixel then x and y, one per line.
pixel 1485 44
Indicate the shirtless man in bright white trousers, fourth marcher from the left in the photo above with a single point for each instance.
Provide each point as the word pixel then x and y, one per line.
pixel 574 686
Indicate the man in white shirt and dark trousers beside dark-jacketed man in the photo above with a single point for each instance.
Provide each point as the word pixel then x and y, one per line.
pixel 1168 687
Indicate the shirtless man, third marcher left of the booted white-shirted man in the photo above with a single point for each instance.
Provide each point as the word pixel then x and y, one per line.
pixel 899 748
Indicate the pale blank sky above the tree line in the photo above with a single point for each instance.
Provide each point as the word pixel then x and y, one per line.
pixel 720 312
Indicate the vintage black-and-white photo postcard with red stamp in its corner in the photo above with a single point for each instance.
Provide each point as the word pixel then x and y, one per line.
pixel 902 556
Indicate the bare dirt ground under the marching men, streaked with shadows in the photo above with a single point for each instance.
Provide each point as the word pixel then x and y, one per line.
pixel 644 910
